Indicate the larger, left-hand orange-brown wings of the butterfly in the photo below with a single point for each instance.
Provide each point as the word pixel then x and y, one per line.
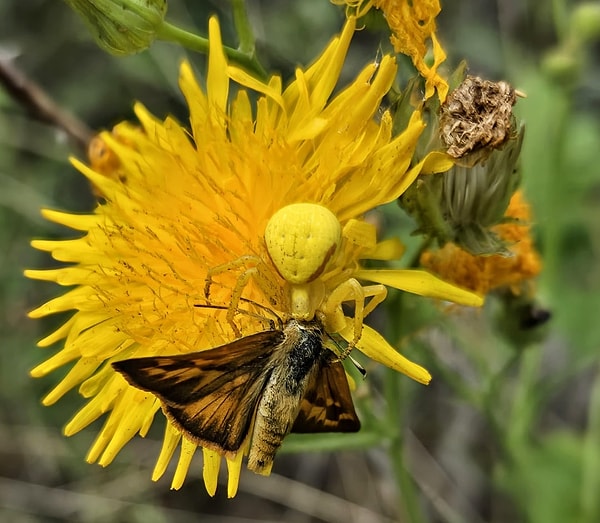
pixel 211 395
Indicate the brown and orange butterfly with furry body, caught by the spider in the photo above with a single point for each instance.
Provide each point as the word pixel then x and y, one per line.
pixel 267 384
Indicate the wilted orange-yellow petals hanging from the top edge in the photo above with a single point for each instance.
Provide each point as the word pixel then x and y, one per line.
pixel 413 25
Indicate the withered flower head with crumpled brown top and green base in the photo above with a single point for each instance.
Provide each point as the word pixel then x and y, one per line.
pixel 476 126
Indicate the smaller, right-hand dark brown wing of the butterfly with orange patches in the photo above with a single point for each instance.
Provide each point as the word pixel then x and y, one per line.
pixel 327 405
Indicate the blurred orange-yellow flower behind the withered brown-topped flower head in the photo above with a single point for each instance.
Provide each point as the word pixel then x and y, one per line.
pixel 483 274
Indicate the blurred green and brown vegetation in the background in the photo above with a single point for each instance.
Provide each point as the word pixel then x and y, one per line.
pixel 504 433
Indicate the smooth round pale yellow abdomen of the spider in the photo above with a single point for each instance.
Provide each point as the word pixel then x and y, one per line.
pixel 301 239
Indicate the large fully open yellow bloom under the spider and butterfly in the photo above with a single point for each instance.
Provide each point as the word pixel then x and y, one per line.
pixel 179 236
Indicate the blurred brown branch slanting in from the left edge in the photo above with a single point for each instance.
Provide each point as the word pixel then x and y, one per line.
pixel 31 96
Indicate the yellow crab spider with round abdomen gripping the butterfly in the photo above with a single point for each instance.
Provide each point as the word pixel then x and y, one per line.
pixel 301 240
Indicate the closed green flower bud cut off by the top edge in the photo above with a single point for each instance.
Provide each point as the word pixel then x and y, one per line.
pixel 122 27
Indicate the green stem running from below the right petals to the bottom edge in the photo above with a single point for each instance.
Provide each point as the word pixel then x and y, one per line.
pixel 409 508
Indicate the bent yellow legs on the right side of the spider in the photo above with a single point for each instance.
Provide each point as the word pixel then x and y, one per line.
pixel 352 290
